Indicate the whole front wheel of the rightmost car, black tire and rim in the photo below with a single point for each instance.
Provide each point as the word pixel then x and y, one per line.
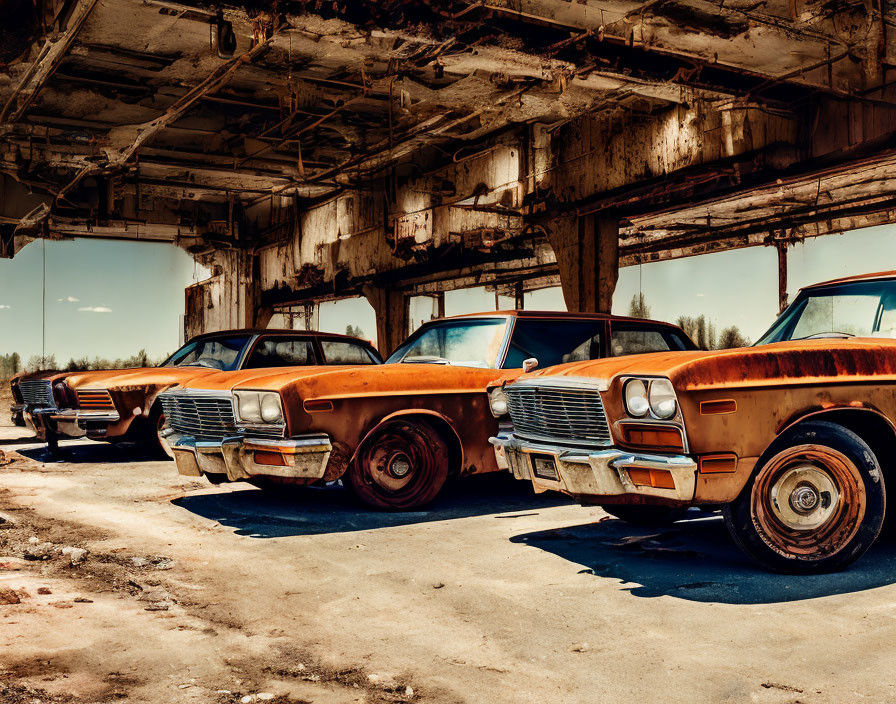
pixel 834 508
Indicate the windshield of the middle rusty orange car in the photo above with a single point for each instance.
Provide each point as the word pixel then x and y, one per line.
pixel 464 343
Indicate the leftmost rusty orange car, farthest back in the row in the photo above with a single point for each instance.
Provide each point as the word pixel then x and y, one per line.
pixel 121 404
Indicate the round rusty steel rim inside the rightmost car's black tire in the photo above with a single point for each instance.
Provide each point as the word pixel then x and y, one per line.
pixel 808 502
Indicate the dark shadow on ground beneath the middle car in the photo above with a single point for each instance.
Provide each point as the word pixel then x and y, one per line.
pixel 332 509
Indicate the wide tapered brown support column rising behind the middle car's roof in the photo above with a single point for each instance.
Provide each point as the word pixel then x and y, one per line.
pixel 587 251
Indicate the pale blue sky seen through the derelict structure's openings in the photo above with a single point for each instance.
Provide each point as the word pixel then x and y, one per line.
pixel 110 299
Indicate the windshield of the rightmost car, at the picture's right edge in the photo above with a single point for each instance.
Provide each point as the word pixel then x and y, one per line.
pixel 854 309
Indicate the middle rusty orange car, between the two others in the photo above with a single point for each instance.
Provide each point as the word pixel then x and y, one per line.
pixel 395 432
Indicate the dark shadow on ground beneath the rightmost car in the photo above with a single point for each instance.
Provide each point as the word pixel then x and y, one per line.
pixel 695 559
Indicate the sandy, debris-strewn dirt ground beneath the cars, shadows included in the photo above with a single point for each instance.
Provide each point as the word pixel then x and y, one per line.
pixel 192 594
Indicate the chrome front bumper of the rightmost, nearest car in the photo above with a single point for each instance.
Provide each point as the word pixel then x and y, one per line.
pixel 582 472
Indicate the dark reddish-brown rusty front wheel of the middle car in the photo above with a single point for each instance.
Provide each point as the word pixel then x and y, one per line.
pixel 402 467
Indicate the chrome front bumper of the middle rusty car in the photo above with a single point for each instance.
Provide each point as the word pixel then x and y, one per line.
pixel 302 457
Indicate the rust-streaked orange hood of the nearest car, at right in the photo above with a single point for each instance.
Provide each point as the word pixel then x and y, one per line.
pixel 766 365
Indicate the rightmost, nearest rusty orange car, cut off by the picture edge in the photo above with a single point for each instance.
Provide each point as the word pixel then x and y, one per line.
pixel 794 438
